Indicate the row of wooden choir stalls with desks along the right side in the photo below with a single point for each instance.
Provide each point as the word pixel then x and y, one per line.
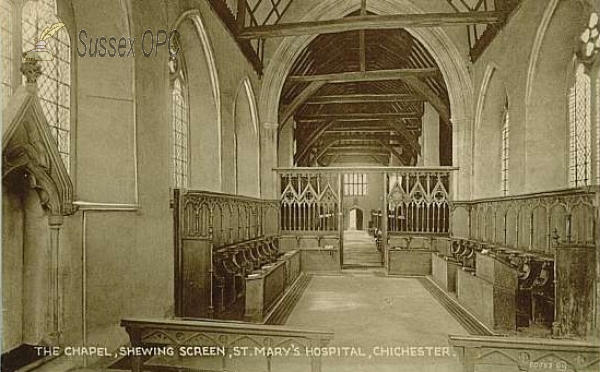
pixel 504 288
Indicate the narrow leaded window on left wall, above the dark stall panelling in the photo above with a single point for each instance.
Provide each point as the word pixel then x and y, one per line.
pixel 180 118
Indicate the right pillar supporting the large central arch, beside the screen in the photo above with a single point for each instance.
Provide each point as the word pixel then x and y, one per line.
pixel 462 157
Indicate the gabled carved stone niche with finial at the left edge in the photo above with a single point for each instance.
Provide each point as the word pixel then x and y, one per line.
pixel 36 193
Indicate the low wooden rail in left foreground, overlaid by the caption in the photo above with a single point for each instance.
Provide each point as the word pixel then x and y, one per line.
pixel 225 346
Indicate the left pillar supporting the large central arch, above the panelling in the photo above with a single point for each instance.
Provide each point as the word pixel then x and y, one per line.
pixel 268 157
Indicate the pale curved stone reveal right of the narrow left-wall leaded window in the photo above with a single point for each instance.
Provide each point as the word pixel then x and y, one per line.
pixel 205 102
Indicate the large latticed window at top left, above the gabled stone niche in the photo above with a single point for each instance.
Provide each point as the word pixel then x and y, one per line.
pixel 54 85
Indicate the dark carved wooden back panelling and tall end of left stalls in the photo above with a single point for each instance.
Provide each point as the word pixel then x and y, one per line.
pixel 204 223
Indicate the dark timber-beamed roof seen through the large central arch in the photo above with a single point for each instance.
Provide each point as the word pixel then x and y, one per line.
pixel 359 96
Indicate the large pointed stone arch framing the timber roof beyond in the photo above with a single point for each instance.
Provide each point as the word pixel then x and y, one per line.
pixel 442 48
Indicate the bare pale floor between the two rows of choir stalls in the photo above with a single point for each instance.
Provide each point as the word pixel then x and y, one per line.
pixel 369 311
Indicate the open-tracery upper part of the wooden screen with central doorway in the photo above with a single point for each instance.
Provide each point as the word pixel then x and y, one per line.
pixel 418 199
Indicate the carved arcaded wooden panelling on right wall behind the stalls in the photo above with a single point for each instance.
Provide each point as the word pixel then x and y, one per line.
pixel 530 222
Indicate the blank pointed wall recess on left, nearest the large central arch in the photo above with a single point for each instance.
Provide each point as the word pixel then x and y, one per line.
pixel 246 141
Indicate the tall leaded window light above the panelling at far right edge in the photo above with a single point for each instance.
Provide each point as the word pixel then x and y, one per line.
pixel 580 129
